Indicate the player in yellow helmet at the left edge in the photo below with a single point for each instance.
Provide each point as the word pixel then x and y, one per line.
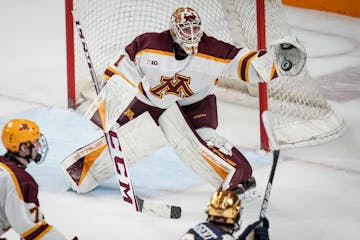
pixel 19 203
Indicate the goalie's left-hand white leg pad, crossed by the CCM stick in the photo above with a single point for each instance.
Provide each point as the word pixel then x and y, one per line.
pixel 139 138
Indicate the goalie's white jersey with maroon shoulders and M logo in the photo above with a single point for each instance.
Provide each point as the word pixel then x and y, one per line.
pixel 150 64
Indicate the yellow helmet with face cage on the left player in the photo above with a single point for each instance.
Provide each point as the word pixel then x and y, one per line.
pixel 22 131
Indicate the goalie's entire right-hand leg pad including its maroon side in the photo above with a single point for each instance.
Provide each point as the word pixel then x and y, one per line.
pixel 219 163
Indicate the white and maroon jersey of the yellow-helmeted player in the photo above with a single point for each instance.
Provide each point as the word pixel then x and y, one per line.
pixel 20 205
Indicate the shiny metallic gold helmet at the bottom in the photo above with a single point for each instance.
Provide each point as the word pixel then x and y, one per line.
pixel 224 207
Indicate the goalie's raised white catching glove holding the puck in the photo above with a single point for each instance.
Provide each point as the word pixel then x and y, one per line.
pixel 290 56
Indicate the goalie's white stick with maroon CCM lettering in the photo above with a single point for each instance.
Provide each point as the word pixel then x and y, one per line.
pixel 121 168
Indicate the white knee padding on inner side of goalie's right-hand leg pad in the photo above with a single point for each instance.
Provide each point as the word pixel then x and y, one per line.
pixel 211 138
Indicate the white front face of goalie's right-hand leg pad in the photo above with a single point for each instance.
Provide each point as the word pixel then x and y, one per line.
pixel 188 147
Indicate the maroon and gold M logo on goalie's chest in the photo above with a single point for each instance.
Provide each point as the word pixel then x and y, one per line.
pixel 178 86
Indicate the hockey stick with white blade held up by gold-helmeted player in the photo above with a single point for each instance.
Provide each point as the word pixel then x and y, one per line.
pixel 276 152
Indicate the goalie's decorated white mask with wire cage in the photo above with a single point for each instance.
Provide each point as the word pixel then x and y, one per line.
pixel 186 29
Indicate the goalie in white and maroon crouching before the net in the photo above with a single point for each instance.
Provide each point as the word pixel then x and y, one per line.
pixel 160 92
